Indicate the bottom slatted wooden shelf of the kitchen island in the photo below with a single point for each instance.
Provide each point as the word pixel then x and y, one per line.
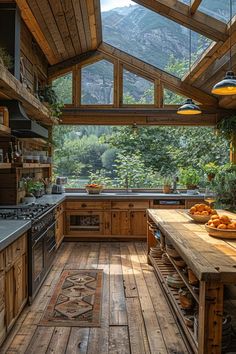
pixel 162 272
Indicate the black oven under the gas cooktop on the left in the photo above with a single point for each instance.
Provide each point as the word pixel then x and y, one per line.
pixel 42 249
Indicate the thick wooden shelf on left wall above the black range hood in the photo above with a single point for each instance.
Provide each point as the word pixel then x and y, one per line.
pixel 14 89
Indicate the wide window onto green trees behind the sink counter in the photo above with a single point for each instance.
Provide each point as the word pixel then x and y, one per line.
pixel 121 157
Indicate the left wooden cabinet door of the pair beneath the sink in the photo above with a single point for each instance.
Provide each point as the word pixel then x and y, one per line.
pixel 120 223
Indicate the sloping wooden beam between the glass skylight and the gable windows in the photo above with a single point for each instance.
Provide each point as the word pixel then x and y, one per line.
pixel 150 71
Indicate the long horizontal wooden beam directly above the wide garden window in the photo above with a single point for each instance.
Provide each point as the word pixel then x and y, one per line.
pixel 143 116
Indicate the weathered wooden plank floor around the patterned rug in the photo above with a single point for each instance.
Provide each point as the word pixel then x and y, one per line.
pixel 135 315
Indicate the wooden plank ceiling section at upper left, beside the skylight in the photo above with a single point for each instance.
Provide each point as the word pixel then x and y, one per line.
pixel 63 28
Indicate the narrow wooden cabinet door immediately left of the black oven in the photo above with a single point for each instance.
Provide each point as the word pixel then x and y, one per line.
pixel 20 284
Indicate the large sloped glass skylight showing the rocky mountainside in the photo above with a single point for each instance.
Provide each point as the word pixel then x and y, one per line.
pixel 151 37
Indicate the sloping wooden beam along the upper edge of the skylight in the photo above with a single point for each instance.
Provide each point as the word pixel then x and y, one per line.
pixel 179 12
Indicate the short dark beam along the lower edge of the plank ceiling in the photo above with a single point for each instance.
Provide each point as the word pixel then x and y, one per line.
pixel 60 68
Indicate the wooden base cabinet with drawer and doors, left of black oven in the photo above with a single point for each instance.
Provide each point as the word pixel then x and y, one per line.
pixel 16 289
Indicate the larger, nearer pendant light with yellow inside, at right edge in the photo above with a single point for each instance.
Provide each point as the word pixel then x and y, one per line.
pixel 228 85
